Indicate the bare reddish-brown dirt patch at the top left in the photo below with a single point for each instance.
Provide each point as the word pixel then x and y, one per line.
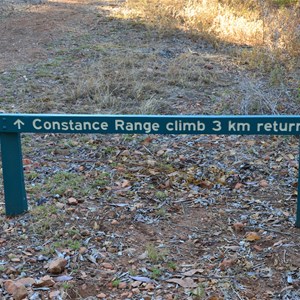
pixel 25 33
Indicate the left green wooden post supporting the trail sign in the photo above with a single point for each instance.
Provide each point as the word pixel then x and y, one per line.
pixel 13 176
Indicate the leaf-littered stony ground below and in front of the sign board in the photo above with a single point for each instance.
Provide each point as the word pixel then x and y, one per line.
pixel 162 217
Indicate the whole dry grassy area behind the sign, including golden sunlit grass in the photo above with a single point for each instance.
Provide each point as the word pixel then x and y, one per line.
pixel 204 57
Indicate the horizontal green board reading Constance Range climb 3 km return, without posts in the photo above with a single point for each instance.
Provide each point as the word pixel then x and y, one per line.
pixel 128 124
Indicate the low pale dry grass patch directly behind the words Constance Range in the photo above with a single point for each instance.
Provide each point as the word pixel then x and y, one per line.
pixel 118 84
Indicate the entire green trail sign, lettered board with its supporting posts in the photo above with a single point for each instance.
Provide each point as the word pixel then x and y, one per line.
pixel 11 125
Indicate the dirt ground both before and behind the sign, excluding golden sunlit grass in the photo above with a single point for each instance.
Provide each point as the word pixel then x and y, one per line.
pixel 142 217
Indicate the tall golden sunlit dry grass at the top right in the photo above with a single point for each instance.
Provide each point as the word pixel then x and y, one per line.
pixel 272 25
